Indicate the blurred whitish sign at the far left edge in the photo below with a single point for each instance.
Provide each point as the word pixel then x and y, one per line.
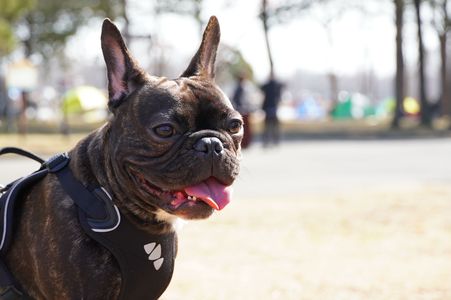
pixel 22 75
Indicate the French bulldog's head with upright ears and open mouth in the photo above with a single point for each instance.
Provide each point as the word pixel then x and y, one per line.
pixel 174 143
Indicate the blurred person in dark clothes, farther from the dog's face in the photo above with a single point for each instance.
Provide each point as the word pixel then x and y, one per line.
pixel 272 90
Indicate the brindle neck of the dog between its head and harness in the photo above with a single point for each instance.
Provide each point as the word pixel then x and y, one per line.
pixel 92 165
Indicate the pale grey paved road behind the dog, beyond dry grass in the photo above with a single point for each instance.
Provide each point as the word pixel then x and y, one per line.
pixel 300 168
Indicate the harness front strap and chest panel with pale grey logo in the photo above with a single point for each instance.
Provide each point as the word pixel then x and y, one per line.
pixel 144 275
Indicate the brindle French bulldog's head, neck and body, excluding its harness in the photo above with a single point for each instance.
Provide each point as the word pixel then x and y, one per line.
pixel 171 149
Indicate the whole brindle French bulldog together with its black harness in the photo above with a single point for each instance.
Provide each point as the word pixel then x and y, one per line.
pixel 99 223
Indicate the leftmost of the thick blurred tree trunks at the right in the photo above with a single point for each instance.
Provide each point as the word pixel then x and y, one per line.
pixel 399 82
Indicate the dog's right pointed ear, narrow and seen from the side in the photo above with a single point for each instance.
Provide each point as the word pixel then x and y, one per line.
pixel 203 62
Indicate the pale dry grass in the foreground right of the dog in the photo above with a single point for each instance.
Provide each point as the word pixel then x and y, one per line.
pixel 365 245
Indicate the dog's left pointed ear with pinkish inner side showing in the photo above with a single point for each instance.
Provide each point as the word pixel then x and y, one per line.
pixel 124 74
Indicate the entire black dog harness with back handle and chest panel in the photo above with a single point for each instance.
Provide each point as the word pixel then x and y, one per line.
pixel 146 260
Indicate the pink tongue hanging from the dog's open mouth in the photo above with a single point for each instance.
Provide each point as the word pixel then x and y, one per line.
pixel 211 192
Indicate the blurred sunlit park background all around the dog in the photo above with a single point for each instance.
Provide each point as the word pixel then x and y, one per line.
pixel 345 187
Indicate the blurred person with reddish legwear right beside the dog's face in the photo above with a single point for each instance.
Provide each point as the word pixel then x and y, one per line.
pixel 241 103
